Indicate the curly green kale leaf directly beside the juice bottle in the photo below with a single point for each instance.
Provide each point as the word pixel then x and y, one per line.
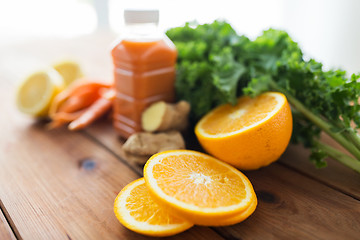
pixel 207 71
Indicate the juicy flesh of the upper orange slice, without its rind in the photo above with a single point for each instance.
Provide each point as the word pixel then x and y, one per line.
pixel 208 184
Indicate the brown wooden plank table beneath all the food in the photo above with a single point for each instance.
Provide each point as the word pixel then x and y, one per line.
pixel 61 185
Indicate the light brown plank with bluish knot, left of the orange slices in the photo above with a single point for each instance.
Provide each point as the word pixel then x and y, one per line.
pixel 59 184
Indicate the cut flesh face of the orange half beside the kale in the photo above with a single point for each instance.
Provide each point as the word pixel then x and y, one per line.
pixel 247 112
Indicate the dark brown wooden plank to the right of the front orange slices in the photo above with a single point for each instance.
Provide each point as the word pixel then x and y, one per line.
pixel 292 206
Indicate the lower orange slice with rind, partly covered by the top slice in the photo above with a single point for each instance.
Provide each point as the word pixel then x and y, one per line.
pixel 136 210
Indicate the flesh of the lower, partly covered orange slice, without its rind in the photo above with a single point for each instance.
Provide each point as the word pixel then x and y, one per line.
pixel 144 209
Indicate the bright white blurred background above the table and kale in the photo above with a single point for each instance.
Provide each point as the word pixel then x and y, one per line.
pixel 327 30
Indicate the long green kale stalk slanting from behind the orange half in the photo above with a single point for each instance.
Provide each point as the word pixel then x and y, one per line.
pixel 326 127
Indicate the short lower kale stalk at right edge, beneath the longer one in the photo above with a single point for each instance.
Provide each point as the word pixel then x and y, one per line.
pixel 339 156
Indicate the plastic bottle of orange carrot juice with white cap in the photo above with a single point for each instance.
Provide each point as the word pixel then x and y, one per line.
pixel 144 71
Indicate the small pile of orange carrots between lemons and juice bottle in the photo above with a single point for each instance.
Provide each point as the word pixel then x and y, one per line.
pixel 80 104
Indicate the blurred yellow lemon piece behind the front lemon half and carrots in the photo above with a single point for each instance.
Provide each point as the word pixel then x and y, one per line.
pixel 69 70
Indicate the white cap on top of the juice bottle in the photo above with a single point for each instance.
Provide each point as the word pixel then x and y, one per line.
pixel 134 16
